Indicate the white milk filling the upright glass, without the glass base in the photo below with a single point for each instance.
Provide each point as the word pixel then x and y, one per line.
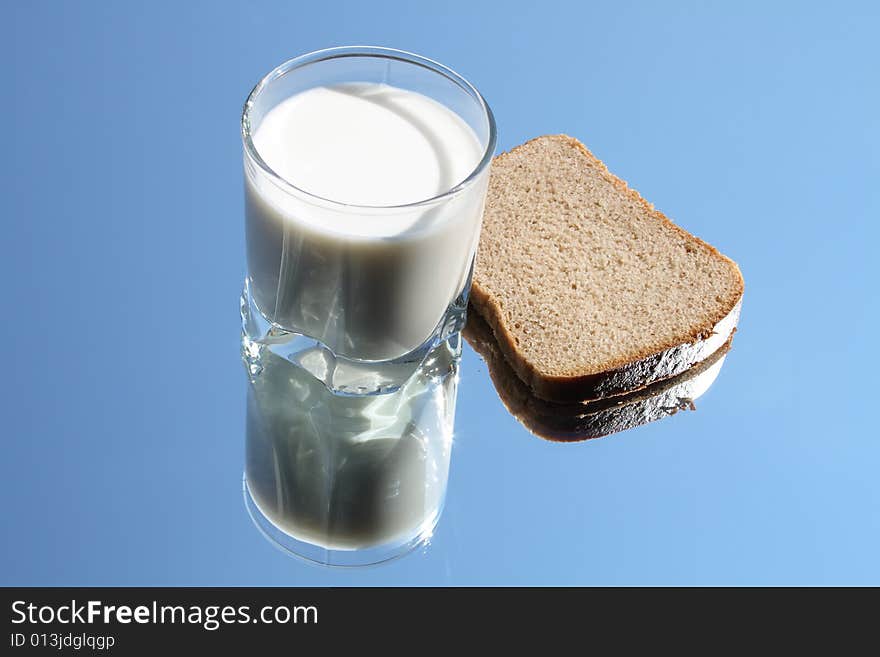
pixel 370 283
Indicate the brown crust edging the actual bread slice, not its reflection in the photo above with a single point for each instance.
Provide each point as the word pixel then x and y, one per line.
pixel 627 375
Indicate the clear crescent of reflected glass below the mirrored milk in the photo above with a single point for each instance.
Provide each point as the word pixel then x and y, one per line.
pixel 317 554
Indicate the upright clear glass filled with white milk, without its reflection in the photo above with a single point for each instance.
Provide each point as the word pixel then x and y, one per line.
pixel 365 177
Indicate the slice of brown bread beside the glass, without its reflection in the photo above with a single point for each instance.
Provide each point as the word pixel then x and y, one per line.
pixel 588 289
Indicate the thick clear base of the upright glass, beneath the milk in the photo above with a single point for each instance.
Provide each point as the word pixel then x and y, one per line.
pixel 341 375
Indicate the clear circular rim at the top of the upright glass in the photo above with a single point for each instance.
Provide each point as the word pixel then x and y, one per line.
pixel 366 51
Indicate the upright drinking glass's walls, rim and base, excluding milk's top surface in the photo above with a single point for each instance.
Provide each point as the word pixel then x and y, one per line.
pixel 359 312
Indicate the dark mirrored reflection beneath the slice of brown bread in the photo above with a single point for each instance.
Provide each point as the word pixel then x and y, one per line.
pixel 577 421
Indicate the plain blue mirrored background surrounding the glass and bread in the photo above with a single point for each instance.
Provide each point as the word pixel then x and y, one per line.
pixel 754 125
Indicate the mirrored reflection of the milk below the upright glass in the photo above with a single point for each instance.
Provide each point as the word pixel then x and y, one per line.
pixel 349 473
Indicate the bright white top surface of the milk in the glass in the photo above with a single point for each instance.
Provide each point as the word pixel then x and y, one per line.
pixel 367 144
